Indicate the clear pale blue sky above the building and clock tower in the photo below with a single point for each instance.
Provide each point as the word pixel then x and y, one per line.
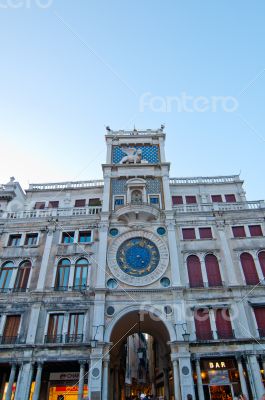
pixel 69 69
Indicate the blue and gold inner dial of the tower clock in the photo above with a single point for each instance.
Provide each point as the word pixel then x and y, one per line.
pixel 138 256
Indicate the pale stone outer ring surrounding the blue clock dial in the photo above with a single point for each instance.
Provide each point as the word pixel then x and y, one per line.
pixel 138 280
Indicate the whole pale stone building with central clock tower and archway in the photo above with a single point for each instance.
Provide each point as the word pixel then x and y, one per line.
pixel 137 282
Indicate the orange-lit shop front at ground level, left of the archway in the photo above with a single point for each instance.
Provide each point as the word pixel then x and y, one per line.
pixel 64 386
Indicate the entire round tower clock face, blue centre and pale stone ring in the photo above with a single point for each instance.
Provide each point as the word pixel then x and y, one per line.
pixel 138 258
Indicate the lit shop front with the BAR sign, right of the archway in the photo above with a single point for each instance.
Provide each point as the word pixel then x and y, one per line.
pixel 220 379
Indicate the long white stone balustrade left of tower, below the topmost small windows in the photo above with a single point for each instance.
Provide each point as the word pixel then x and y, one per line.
pixel 52 212
